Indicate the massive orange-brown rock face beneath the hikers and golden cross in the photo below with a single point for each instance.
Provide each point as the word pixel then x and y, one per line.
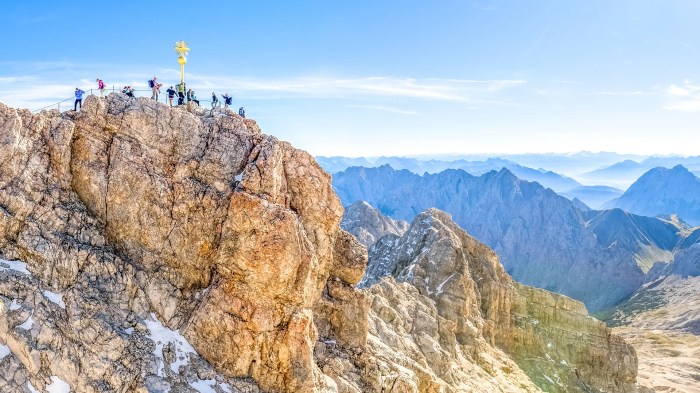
pixel 137 215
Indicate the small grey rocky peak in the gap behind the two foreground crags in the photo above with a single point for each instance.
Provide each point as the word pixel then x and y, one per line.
pixel 368 224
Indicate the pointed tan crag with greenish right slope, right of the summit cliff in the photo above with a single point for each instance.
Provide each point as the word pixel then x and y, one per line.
pixel 551 337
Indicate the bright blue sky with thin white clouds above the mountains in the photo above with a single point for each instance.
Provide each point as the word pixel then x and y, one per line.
pixel 367 78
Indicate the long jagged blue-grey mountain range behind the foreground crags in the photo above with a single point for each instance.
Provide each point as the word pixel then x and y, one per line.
pixel 543 239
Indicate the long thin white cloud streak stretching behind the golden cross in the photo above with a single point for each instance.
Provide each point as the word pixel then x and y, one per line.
pixel 38 84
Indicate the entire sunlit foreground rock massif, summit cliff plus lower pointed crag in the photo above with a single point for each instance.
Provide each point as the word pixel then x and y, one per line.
pixel 150 249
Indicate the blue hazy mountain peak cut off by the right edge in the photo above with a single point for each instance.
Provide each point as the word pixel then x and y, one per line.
pixel 662 191
